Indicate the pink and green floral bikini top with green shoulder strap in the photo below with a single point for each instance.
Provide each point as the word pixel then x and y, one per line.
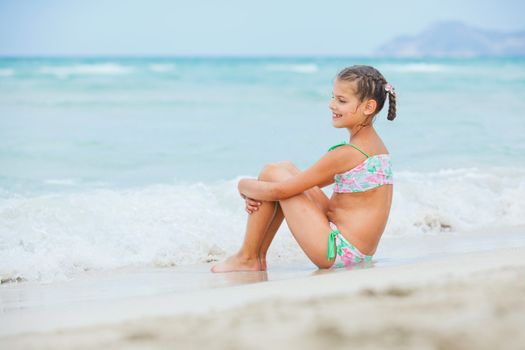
pixel 373 172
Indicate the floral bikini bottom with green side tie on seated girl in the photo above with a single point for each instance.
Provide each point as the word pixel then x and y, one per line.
pixel 346 254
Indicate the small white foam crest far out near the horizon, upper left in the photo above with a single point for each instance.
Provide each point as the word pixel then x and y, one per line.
pixel 86 69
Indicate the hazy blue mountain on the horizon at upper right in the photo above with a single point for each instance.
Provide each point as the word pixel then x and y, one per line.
pixel 455 39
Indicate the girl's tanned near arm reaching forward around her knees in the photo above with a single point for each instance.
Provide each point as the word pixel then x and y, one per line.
pixel 319 174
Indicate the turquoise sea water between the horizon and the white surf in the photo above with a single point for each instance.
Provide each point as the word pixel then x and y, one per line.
pixel 143 121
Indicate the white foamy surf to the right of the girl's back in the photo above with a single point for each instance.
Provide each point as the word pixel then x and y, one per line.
pixel 457 200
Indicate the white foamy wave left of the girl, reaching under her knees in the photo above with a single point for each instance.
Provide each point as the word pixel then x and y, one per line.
pixel 53 237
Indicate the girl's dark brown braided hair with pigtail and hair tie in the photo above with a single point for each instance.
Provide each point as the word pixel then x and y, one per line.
pixel 371 85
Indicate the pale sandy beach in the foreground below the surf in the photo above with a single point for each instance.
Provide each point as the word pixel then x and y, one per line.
pixel 464 301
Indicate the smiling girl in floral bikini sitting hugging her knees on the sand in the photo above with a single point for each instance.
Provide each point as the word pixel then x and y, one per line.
pixel 346 228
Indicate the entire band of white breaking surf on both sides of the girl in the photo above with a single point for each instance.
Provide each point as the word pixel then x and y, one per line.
pixel 52 237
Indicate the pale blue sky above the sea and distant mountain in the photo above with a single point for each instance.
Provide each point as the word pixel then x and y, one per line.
pixel 232 27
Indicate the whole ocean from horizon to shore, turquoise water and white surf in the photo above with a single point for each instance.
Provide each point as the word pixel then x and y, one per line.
pixel 115 162
